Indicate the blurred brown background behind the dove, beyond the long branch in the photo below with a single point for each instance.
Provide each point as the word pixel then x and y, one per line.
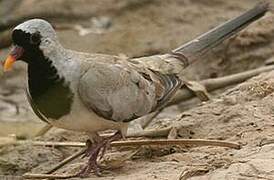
pixel 129 28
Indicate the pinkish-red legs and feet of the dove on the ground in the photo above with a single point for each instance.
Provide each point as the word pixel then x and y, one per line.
pixel 93 151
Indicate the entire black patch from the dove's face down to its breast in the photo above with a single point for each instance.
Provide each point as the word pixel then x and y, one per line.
pixel 49 95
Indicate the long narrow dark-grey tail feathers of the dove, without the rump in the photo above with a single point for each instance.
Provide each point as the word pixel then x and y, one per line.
pixel 193 49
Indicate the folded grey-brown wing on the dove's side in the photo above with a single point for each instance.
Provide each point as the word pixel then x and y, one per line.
pixel 121 93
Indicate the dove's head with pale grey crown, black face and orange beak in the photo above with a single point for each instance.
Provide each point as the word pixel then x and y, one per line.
pixel 31 39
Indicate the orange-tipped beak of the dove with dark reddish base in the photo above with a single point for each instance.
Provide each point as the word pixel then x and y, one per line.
pixel 15 54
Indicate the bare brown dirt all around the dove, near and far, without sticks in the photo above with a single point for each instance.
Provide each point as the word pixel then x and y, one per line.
pixel 243 113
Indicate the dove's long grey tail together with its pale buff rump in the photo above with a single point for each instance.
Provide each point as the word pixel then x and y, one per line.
pixel 180 58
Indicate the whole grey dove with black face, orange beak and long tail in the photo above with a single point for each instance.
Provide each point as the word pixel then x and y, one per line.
pixel 90 92
